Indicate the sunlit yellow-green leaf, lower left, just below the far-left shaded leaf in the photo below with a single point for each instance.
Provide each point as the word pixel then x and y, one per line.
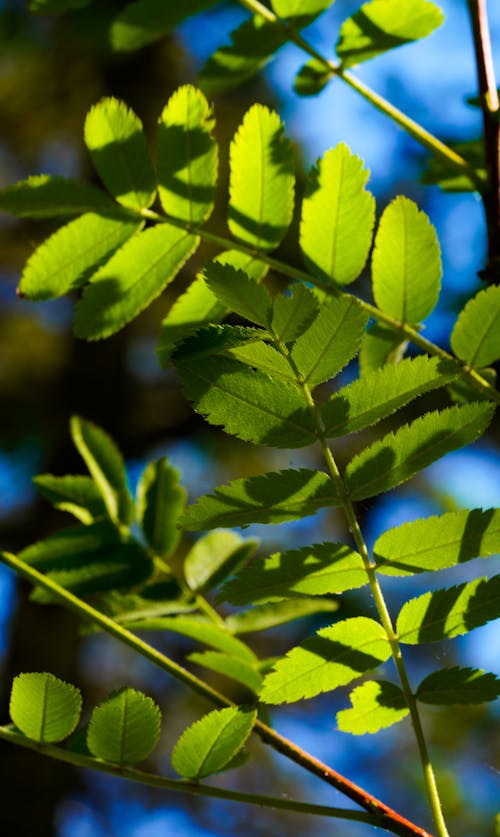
pixel 68 258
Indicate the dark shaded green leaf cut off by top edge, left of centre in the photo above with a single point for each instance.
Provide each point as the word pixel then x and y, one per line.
pixel 145 21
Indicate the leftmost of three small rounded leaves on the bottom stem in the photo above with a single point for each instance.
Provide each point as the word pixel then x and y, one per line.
pixel 43 707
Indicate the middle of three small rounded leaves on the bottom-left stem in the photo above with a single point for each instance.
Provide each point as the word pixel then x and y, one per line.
pixel 125 728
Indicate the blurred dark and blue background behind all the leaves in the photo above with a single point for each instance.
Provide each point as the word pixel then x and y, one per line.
pixel 51 71
